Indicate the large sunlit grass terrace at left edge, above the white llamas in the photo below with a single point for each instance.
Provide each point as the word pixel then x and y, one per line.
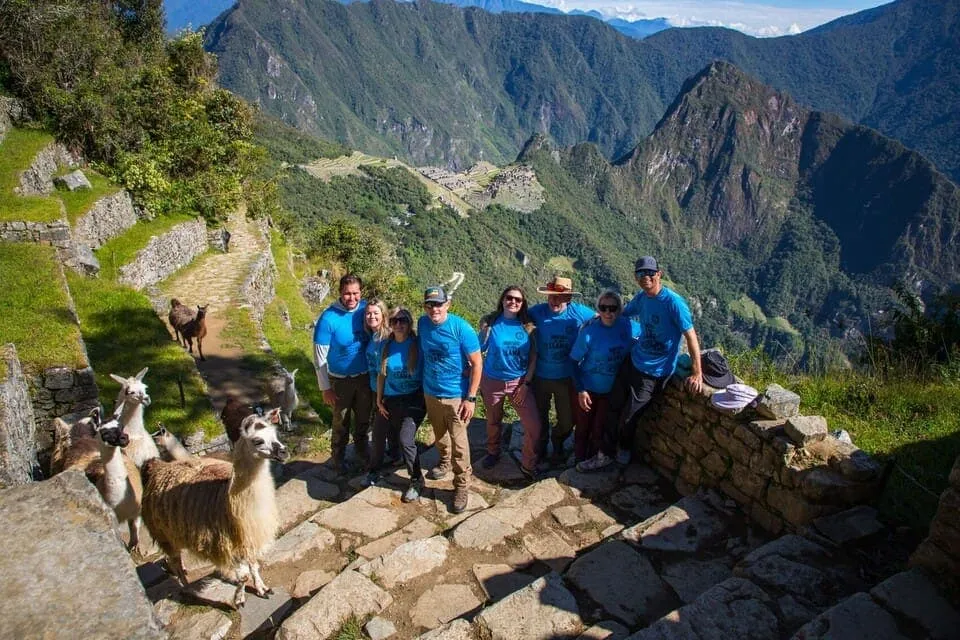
pixel 34 308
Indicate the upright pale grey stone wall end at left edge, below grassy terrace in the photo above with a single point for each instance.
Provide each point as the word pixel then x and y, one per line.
pixel 18 445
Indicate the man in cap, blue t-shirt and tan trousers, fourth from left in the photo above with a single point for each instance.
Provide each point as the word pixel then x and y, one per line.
pixel 449 346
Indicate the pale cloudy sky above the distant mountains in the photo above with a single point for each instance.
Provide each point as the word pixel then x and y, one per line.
pixel 756 17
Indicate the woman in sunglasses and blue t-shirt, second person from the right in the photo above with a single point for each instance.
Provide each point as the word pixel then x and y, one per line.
pixel 602 345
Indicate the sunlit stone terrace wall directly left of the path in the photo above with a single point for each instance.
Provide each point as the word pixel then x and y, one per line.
pixel 165 254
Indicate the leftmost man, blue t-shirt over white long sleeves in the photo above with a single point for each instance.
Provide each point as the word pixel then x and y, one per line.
pixel 339 346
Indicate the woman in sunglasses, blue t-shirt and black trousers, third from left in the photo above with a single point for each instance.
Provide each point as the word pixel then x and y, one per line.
pixel 400 404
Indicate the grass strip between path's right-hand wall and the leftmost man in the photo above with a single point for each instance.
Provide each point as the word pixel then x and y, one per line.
pixel 294 346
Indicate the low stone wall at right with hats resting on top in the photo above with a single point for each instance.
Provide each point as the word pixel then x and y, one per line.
pixel 784 470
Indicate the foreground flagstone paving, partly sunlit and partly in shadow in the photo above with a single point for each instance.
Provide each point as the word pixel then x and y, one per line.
pixel 594 556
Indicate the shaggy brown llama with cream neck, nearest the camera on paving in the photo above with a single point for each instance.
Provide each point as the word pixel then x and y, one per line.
pixel 225 514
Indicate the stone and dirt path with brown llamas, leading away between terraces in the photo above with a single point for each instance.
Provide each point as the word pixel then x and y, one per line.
pixel 216 281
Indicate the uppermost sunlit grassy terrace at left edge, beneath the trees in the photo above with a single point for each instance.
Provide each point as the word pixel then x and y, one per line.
pixel 17 151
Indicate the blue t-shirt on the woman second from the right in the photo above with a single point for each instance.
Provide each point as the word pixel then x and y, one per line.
pixel 599 351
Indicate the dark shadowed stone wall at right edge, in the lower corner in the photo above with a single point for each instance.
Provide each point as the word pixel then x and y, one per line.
pixel 940 552
